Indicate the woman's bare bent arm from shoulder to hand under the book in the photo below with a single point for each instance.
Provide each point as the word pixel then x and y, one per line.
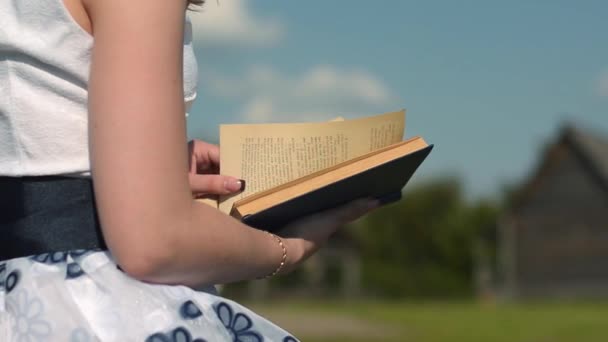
pixel 137 131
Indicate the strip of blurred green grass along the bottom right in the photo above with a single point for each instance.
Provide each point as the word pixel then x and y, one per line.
pixel 451 321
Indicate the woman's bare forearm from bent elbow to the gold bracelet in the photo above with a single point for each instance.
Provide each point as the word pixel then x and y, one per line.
pixel 208 247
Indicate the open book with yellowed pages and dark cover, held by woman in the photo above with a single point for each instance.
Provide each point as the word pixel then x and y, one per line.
pixel 293 170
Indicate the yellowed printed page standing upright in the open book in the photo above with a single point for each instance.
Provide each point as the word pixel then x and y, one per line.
pixel 267 155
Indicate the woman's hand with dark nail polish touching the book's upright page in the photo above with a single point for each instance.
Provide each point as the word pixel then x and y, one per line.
pixel 204 165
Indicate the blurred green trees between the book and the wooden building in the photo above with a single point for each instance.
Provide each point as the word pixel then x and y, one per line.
pixel 423 245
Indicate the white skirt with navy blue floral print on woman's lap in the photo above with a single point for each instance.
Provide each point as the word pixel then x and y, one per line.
pixel 82 296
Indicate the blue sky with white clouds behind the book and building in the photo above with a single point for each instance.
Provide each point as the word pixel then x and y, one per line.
pixel 488 82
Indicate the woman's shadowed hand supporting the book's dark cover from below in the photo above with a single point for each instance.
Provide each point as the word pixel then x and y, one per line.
pixel 305 236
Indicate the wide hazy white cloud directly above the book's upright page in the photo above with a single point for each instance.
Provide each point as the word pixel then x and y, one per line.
pixel 320 93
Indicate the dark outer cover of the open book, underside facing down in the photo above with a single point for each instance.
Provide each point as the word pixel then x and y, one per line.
pixel 384 182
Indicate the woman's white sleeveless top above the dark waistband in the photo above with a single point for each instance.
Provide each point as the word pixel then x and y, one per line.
pixel 44 73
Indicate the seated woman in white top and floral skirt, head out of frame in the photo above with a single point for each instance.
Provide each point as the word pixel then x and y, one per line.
pixel 92 96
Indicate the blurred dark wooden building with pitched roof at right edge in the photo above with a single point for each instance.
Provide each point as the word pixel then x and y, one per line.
pixel 554 236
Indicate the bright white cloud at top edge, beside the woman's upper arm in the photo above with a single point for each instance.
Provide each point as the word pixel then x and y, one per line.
pixel 231 22
